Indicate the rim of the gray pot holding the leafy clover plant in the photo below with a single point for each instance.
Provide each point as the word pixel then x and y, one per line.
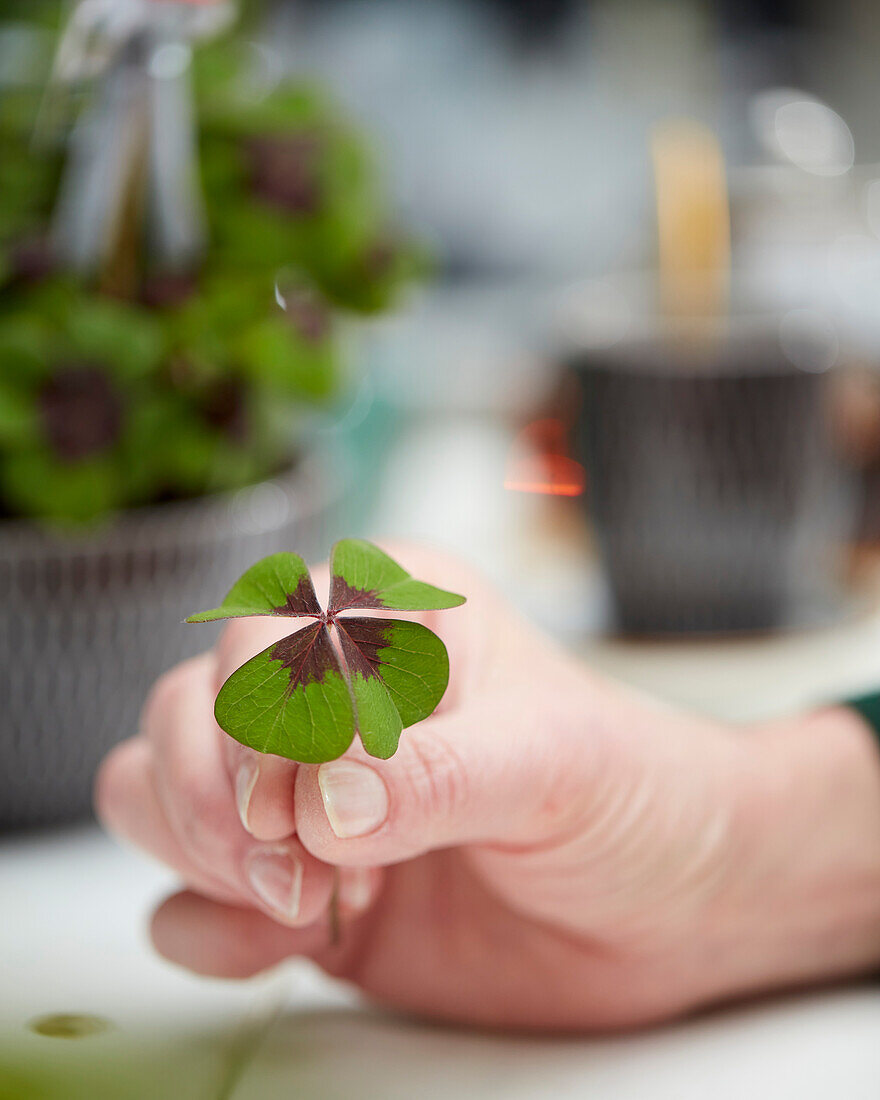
pixel 296 492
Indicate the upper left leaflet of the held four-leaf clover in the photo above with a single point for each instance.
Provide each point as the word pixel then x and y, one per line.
pixel 280 585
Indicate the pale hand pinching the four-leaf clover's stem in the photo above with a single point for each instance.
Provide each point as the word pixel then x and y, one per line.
pixel 547 851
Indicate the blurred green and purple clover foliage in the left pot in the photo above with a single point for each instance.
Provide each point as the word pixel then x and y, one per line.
pixel 211 373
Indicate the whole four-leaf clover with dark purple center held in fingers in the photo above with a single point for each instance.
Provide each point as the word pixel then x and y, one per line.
pixel 307 696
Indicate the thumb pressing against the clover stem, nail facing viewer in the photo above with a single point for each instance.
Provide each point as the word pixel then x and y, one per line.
pixel 512 771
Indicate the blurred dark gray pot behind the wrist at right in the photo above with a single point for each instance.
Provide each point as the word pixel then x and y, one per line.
pixel 716 492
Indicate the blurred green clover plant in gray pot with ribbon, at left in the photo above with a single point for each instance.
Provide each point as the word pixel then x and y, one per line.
pixel 159 368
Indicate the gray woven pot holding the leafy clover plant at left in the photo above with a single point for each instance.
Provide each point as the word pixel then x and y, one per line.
pixel 87 625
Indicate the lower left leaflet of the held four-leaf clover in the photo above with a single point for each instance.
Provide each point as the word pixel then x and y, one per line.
pixel 292 700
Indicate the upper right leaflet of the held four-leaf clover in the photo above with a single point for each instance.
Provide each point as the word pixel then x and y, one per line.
pixel 364 577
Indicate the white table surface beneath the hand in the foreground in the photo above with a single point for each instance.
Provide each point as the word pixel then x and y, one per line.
pixel 75 908
